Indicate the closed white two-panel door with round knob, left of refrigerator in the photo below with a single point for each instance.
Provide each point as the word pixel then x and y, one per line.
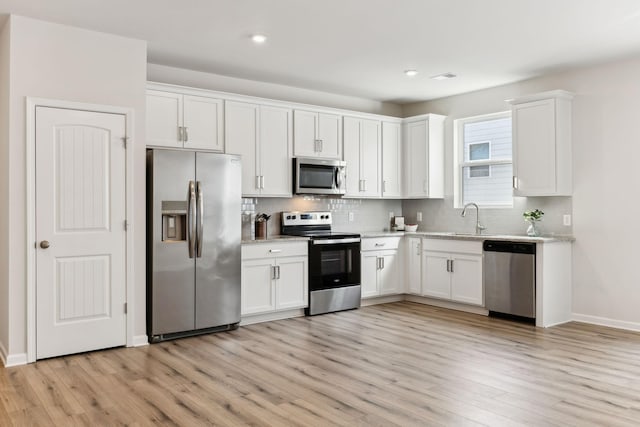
pixel 80 214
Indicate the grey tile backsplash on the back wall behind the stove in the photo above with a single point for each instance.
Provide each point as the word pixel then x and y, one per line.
pixel 368 215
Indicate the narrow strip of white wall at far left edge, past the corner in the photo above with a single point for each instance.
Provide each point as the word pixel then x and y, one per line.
pixel 4 187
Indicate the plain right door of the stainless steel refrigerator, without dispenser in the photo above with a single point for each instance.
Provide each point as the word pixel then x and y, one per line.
pixel 218 259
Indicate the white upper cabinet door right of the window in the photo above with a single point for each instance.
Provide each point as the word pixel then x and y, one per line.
pixel 534 144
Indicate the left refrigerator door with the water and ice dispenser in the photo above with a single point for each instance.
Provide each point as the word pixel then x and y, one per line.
pixel 172 285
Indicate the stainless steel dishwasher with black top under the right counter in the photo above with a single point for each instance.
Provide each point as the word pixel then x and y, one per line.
pixel 510 278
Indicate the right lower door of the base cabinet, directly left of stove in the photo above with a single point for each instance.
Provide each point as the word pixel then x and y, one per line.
pixel 292 283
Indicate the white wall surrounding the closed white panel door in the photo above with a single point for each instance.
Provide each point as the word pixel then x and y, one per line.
pixel 60 62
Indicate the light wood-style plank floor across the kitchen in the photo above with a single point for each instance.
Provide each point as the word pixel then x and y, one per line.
pixel 402 364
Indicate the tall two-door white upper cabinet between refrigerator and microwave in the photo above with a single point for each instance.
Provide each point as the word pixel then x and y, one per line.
pixel 261 134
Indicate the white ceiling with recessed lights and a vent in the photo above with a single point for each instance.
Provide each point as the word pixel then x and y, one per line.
pixel 362 47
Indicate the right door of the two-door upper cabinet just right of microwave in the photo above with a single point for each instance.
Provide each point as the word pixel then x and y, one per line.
pixel 370 153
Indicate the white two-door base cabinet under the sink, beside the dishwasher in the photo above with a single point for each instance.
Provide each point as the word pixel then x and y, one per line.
pixel 452 270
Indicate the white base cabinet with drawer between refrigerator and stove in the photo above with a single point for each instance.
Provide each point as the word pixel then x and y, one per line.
pixel 274 277
